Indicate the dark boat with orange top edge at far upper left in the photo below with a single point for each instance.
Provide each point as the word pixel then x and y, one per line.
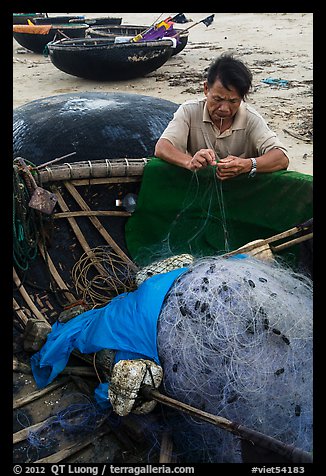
pixel 36 37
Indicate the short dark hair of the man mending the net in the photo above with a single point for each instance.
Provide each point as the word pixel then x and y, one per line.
pixel 231 72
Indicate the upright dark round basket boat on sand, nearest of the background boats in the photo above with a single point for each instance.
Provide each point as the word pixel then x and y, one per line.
pixel 103 59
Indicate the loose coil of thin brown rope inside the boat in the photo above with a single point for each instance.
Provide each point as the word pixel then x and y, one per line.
pixel 101 274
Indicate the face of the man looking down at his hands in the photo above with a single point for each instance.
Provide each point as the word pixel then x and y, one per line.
pixel 221 103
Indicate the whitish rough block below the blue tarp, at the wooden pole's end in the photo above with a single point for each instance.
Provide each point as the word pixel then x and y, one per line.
pixel 126 380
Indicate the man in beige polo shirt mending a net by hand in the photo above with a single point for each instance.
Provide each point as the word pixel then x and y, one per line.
pixel 222 129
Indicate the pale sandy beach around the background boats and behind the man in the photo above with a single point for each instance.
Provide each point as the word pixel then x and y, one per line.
pixel 278 48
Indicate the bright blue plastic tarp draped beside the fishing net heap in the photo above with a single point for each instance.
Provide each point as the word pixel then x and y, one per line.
pixel 127 324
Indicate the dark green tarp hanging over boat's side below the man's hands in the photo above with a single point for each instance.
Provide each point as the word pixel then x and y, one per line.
pixel 179 211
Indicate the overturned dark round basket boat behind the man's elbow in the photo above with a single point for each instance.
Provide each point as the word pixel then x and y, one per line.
pixel 94 125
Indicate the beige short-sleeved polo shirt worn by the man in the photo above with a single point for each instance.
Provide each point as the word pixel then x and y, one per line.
pixel 192 129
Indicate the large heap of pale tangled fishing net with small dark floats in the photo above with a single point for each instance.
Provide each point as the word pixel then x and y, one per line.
pixel 235 340
